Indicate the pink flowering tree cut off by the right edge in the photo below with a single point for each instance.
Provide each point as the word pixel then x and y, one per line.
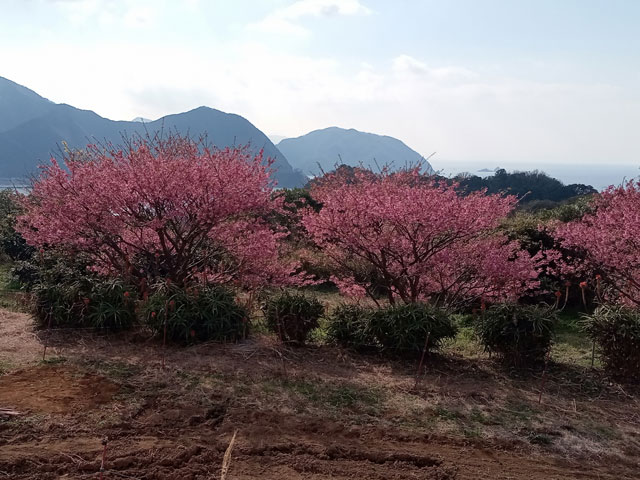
pixel 608 241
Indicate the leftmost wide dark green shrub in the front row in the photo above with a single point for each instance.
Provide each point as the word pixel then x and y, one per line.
pixel 85 302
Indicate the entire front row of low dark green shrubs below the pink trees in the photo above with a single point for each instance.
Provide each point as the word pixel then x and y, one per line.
pixel 65 294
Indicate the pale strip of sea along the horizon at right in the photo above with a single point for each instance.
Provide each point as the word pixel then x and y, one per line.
pixel 600 176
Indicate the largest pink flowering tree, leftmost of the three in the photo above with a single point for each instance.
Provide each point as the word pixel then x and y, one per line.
pixel 162 209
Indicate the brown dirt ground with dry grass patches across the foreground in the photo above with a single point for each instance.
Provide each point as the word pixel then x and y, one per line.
pixel 314 413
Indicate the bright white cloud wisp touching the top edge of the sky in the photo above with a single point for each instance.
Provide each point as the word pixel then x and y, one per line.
pixel 285 20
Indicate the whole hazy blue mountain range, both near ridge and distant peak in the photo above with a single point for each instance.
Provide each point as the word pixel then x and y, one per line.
pixel 32 128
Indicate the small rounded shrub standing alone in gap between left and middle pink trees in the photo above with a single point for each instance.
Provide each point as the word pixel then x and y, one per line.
pixel 293 316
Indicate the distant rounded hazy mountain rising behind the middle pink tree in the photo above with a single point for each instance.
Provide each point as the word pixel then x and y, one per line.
pixel 333 145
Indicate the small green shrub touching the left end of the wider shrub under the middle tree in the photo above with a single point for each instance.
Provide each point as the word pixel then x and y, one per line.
pixel 349 326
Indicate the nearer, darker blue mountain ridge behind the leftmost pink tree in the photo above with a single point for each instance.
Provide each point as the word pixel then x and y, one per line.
pixel 32 128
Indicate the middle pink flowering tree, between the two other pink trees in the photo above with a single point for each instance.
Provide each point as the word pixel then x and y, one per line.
pixel 418 240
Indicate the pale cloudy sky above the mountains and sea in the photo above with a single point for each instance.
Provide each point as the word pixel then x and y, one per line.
pixel 494 82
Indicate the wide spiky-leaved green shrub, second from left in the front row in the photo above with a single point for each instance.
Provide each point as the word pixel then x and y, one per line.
pixel 196 314
